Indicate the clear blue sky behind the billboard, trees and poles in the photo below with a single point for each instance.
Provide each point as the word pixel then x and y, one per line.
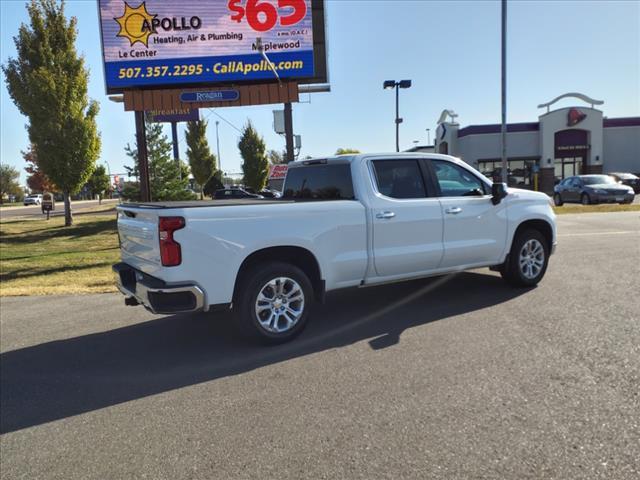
pixel 451 51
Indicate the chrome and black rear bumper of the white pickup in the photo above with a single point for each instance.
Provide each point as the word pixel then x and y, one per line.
pixel 154 294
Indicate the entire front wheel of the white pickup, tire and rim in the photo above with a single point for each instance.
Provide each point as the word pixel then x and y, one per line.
pixel 528 259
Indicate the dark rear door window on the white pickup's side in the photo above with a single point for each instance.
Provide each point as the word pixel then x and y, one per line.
pixel 399 178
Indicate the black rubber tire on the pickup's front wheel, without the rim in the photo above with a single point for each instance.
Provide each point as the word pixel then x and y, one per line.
pixel 512 271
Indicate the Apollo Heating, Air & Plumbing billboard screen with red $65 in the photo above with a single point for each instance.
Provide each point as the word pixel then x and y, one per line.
pixel 174 43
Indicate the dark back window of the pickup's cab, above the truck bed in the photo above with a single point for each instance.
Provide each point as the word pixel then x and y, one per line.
pixel 319 182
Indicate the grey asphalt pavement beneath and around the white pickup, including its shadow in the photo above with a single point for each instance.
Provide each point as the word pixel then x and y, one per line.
pixel 459 377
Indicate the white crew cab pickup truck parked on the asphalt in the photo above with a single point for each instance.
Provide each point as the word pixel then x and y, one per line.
pixel 345 221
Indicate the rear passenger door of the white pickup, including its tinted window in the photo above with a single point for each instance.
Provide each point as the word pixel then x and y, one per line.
pixel 407 223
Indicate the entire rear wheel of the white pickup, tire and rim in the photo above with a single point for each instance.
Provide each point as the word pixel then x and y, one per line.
pixel 273 302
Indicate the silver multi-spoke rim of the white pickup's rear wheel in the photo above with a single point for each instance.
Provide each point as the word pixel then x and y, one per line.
pixel 279 305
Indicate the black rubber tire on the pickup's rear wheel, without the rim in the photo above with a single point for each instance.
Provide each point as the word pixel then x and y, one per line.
pixel 251 283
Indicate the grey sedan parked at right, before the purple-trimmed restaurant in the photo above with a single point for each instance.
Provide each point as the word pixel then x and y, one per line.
pixel 588 189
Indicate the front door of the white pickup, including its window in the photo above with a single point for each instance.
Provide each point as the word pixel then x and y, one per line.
pixel 475 230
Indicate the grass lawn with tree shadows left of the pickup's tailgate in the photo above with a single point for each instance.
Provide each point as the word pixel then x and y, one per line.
pixel 39 257
